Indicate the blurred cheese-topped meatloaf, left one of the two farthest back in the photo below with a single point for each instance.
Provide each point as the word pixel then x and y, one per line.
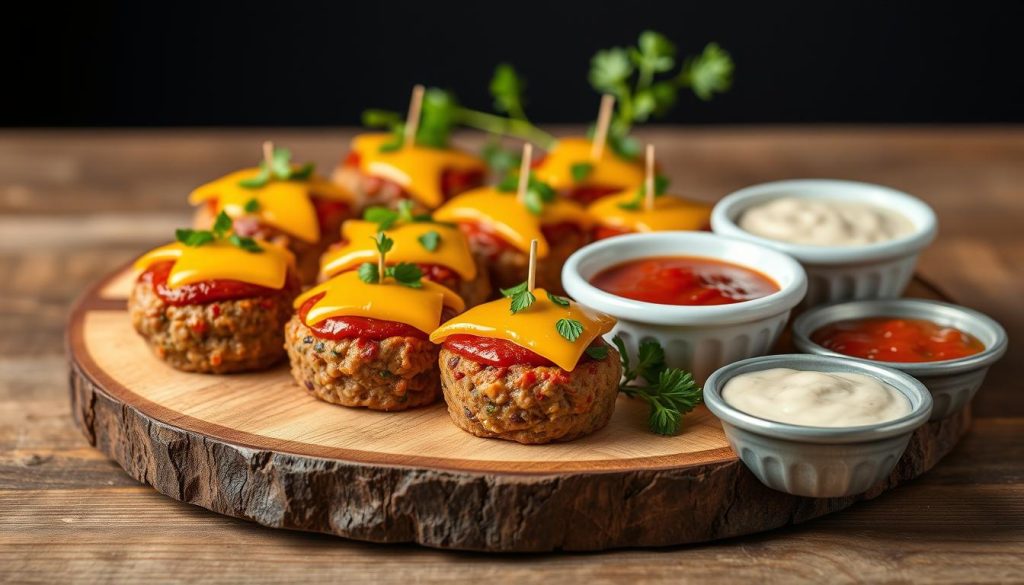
pixel 381 175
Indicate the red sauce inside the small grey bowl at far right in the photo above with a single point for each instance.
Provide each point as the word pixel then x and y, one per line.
pixel 893 340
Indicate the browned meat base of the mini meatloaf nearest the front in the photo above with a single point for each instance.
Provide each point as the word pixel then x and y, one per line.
pixel 529 404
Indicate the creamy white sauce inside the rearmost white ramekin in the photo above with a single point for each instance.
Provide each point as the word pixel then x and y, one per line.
pixel 825 222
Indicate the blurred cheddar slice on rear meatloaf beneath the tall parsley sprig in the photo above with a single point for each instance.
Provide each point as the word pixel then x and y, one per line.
pixel 611 171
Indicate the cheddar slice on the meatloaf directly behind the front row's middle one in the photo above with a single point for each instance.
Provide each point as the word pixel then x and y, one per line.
pixel 452 252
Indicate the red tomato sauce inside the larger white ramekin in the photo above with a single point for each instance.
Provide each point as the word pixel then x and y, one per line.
pixel 685 280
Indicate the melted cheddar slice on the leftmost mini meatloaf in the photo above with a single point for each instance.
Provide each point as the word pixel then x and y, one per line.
pixel 222 261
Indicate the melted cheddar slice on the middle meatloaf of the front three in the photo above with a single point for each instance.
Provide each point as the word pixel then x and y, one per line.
pixel 347 296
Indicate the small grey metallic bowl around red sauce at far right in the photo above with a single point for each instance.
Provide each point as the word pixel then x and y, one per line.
pixel 953 383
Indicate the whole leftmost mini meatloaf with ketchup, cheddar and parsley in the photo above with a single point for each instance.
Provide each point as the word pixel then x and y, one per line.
pixel 214 304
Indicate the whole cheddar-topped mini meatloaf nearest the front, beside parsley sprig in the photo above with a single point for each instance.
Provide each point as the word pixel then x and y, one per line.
pixel 539 375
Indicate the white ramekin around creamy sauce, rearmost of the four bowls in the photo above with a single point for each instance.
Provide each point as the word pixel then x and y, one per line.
pixel 834 273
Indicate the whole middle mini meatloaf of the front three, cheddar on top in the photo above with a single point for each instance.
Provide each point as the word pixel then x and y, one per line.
pixel 360 341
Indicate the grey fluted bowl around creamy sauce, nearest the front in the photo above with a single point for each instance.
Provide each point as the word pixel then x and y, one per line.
pixel 819 462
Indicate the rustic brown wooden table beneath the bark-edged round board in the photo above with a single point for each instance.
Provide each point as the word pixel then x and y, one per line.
pixel 76 204
